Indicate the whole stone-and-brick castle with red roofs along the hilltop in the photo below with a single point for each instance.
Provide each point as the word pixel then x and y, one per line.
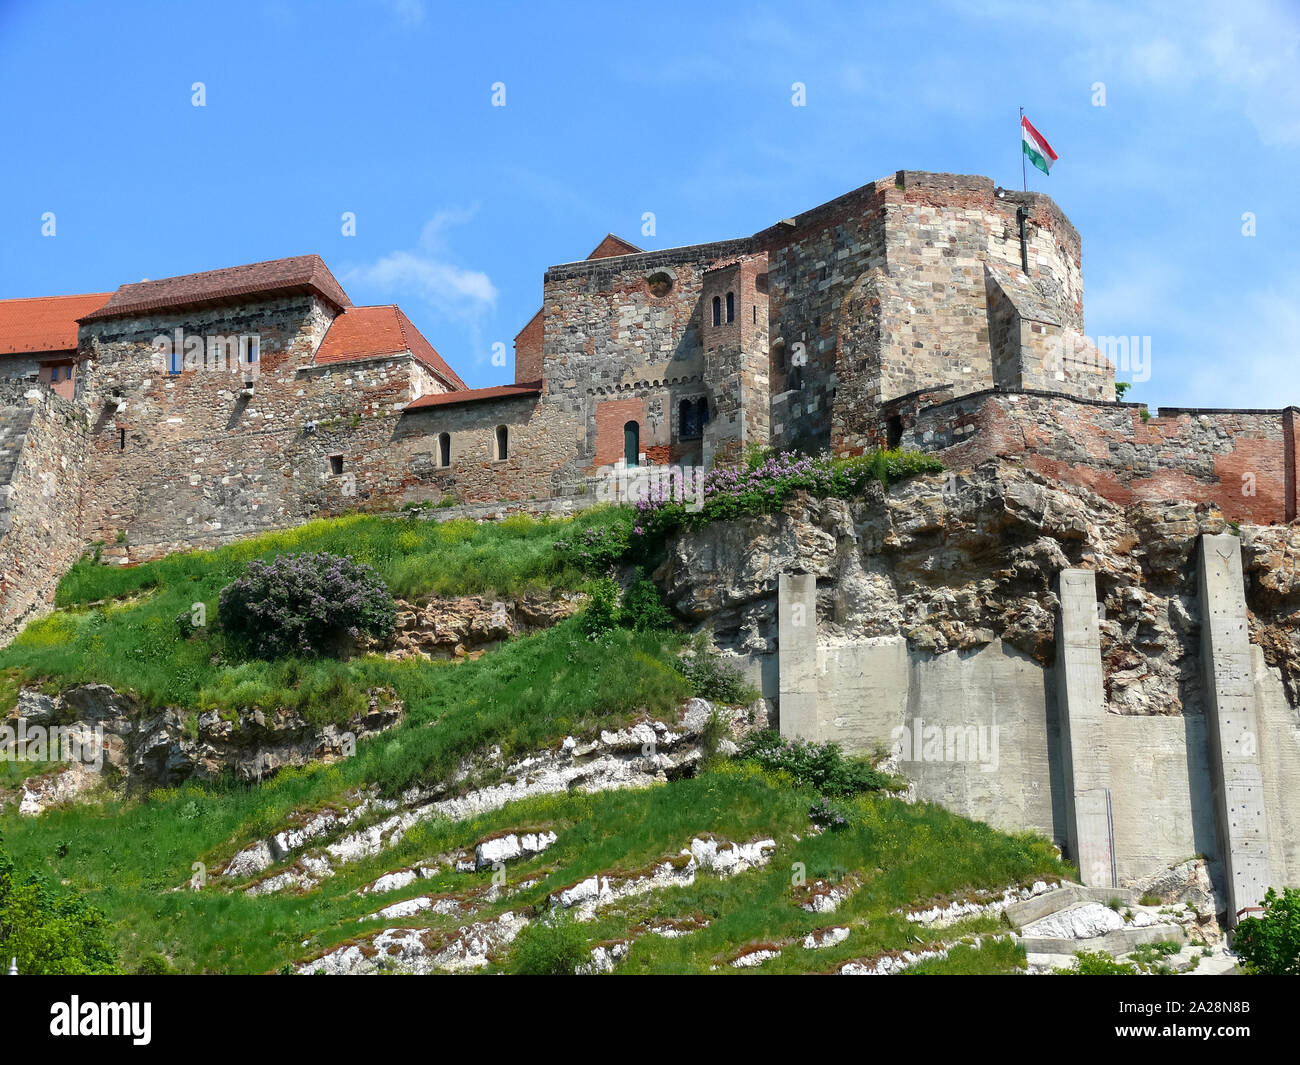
pixel 925 310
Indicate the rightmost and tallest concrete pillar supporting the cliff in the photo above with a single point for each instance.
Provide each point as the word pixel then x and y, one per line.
pixel 1234 730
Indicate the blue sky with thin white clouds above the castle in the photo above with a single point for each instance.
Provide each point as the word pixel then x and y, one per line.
pixel 384 109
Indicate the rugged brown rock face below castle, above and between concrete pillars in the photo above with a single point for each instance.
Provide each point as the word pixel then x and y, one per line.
pixel 954 562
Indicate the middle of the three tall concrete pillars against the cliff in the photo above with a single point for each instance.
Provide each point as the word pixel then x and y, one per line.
pixel 1082 700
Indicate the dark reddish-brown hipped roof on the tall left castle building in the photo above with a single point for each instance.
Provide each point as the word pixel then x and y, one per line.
pixel 304 274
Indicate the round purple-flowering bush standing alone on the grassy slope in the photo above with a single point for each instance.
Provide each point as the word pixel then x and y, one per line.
pixel 306 605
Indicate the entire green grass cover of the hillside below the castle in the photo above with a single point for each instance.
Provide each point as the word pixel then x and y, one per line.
pixel 119 626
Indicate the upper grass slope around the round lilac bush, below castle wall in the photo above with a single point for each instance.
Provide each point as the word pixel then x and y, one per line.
pixel 132 640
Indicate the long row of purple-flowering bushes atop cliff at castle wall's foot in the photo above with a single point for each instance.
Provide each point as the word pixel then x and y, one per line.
pixel 766 482
